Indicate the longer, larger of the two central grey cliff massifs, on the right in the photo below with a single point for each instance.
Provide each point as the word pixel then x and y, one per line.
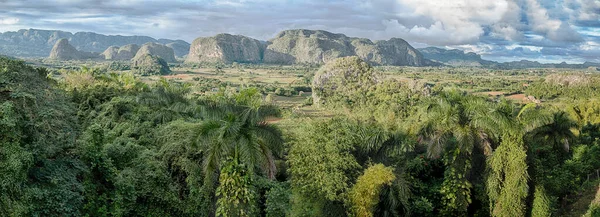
pixel 317 47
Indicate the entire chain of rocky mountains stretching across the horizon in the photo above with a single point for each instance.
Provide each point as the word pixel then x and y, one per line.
pixel 298 46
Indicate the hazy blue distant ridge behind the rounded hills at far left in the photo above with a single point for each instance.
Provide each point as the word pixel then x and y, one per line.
pixel 38 43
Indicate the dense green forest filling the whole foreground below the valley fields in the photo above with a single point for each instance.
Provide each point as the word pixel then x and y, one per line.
pixel 98 143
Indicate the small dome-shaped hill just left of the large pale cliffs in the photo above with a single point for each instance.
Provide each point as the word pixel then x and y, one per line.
pixel 148 64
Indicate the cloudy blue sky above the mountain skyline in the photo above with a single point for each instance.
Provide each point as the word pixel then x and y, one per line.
pixel 500 30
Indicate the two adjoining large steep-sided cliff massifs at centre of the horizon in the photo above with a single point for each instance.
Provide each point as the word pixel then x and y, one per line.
pixel 301 46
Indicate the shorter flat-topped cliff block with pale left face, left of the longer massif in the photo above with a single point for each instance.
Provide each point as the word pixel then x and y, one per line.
pixel 225 48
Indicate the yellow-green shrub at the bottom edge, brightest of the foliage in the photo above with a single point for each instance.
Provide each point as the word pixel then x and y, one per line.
pixel 364 195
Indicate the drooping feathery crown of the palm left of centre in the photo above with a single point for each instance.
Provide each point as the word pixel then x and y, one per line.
pixel 231 129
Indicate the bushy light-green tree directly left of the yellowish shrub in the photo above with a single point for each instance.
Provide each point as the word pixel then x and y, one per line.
pixel 322 167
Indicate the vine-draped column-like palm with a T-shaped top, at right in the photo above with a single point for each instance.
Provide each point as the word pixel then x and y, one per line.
pixel 507 181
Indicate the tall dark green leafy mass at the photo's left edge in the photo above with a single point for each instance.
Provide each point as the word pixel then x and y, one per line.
pixel 37 133
